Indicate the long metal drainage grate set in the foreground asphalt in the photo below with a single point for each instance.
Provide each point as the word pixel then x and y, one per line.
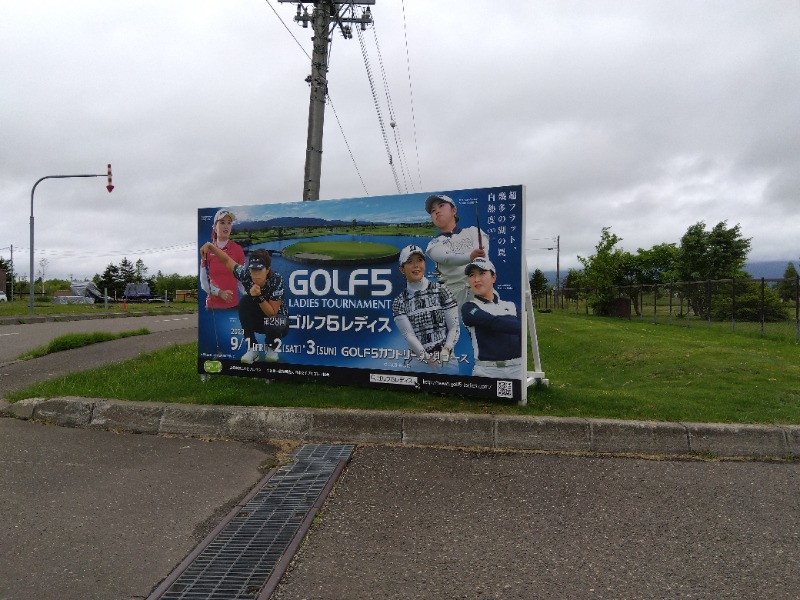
pixel 236 561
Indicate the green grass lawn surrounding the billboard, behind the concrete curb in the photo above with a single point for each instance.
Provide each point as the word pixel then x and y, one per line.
pixel 597 367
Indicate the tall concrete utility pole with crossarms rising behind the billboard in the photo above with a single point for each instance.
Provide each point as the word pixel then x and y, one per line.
pixel 326 15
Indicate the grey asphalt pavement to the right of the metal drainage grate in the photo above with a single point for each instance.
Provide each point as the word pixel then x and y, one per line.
pixel 409 523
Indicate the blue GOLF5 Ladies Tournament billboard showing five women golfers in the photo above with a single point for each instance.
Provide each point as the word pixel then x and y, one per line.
pixel 419 291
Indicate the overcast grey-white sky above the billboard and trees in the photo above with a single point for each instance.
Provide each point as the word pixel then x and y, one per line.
pixel 645 116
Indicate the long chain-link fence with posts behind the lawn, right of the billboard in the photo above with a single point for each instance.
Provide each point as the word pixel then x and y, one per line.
pixel 767 308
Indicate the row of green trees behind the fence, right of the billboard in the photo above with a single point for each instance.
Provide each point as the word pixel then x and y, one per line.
pixel 703 254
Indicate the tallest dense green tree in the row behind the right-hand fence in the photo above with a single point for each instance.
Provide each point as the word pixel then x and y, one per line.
pixel 709 255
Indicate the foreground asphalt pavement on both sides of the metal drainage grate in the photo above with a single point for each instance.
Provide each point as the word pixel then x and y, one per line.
pixel 94 515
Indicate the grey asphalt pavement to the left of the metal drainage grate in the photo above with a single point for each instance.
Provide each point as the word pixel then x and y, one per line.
pixel 93 515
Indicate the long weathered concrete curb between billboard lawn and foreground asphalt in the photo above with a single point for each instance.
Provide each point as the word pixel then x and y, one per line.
pixel 499 432
